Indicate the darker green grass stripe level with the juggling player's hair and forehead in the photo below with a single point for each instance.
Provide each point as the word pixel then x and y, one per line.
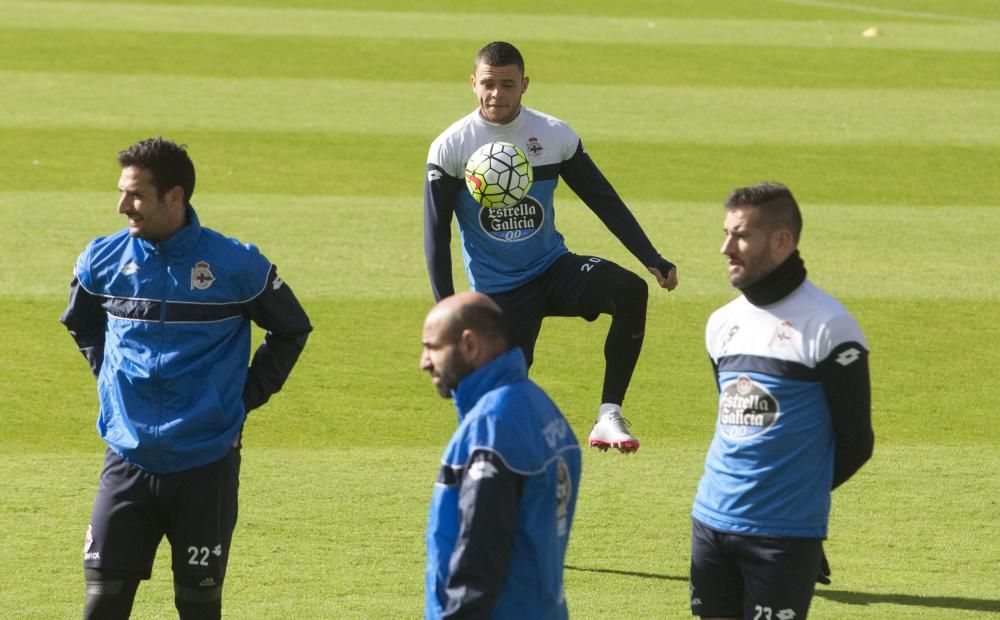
pixel 549 63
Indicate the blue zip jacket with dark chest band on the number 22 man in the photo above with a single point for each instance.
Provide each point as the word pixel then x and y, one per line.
pixel 166 329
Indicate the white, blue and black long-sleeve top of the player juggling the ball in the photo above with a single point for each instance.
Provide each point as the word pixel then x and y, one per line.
pixel 505 248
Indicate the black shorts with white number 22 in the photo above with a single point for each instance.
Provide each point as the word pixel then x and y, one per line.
pixel 134 509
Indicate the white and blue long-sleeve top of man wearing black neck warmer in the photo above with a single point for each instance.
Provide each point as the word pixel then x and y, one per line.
pixel 794 418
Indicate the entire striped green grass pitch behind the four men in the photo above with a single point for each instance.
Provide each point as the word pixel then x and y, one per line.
pixel 309 123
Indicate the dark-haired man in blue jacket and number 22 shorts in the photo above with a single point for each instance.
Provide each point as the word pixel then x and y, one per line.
pixel 162 310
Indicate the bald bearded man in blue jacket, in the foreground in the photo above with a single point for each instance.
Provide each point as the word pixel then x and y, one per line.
pixel 505 496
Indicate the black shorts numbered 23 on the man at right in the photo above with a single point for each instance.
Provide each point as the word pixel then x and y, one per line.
pixel 740 576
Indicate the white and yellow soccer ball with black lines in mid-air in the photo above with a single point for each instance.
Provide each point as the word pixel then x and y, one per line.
pixel 498 175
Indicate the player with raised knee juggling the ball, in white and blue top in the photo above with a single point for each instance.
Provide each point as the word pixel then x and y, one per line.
pixel 516 255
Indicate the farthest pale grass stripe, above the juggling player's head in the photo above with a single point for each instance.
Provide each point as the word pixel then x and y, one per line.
pixel 481 26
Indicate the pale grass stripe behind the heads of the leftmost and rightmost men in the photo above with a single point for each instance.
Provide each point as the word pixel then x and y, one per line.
pixel 374 243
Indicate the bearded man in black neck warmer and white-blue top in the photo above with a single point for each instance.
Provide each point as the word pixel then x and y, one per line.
pixel 794 420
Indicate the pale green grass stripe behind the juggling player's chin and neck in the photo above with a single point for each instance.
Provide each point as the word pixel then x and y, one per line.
pixel 633 114
